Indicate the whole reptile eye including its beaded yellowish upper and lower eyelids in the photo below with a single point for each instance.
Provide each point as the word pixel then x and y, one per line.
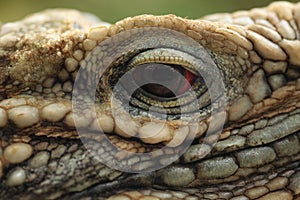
pixel 162 80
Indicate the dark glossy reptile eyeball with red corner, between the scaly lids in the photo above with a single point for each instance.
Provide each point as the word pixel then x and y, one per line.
pixel 163 80
